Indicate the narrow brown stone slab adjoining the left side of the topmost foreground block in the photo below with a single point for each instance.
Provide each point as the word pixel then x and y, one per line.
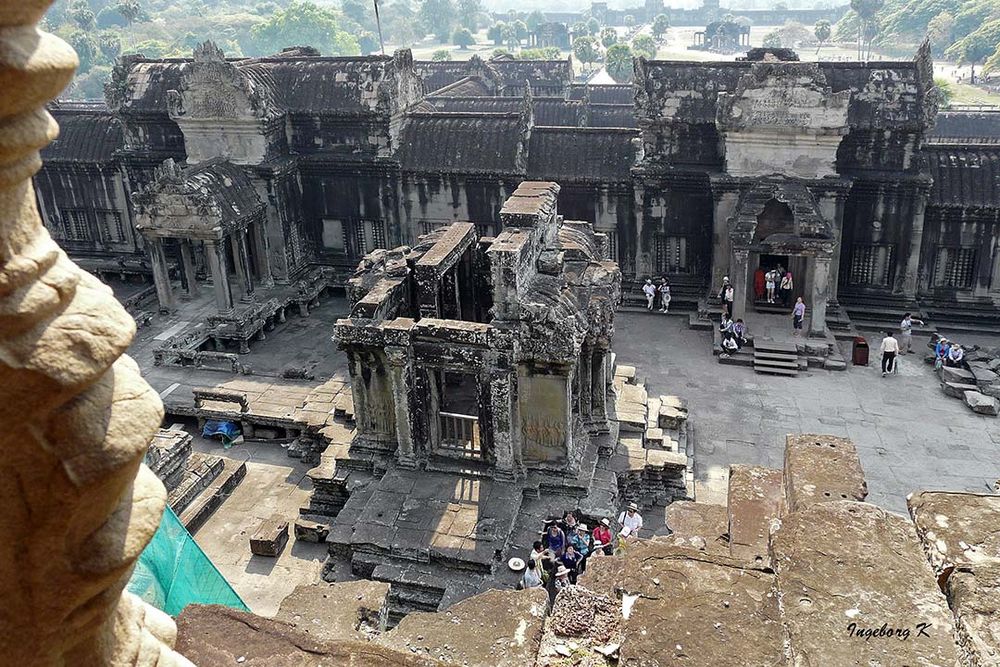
pixel 756 502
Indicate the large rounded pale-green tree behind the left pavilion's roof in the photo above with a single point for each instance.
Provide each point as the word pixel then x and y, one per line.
pixel 303 24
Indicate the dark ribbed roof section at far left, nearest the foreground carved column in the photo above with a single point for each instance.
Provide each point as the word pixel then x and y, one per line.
pixel 84 136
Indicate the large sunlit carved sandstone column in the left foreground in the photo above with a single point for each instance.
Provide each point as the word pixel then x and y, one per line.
pixel 76 416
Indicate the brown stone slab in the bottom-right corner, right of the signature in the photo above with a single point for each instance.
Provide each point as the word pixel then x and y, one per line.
pixel 974 596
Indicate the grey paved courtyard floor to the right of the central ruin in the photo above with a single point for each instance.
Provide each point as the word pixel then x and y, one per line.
pixel 909 434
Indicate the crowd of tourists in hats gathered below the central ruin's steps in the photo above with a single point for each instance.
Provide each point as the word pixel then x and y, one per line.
pixel 566 544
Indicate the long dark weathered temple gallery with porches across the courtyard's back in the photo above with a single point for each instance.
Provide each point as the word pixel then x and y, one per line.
pixel 249 173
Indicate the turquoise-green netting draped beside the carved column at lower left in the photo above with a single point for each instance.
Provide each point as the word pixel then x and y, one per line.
pixel 173 572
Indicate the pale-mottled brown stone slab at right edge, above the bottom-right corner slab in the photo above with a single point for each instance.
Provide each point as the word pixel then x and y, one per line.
pixel 956 528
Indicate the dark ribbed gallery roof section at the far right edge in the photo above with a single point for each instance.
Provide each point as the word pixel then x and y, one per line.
pixel 964 176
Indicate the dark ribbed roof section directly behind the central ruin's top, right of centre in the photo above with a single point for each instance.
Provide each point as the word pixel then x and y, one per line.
pixel 581 154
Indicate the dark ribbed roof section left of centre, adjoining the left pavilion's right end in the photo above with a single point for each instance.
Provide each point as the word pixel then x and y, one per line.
pixel 461 143
